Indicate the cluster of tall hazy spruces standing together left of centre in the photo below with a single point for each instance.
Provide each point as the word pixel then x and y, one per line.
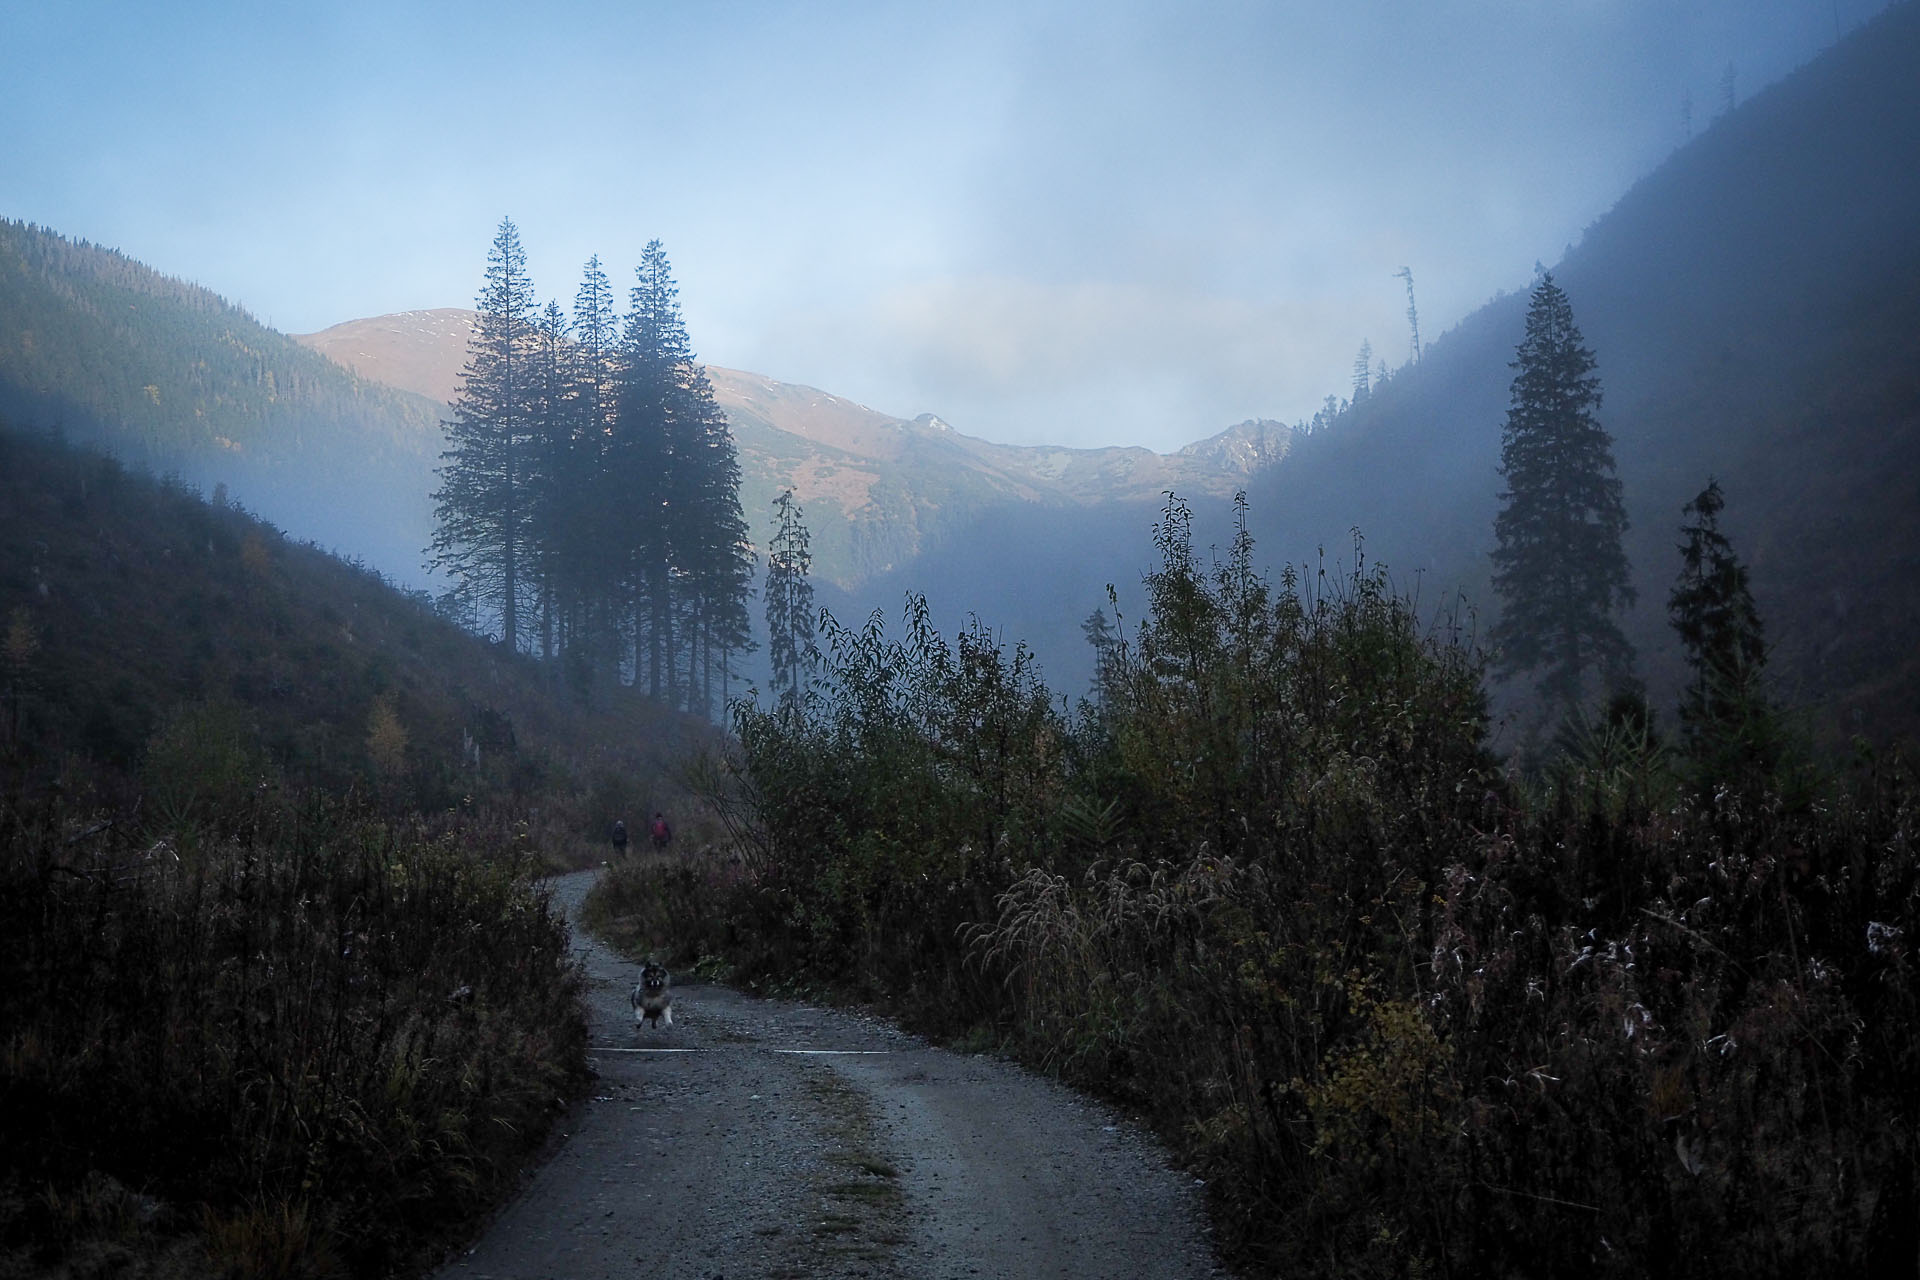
pixel 588 500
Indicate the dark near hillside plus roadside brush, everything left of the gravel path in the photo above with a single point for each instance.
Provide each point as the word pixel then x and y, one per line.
pixel 279 993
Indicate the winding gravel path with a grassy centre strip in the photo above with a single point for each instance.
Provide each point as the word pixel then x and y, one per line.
pixel 769 1139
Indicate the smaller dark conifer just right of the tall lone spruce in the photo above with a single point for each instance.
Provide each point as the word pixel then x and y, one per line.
pixel 1712 609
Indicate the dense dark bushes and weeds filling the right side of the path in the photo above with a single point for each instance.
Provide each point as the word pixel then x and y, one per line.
pixel 1408 1012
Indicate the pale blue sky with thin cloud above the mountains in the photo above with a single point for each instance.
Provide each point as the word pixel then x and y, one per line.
pixel 1049 224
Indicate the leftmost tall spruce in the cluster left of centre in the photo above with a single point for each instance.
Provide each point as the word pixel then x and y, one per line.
pixel 483 502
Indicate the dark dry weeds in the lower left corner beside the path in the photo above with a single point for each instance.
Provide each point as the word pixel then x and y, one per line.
pixel 281 1039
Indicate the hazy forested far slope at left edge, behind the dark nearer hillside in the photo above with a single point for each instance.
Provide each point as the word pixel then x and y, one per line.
pixel 174 379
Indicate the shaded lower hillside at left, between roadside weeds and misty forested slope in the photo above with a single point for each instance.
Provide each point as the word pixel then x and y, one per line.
pixel 130 605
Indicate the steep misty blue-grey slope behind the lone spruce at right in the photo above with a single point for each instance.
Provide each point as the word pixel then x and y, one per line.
pixel 1756 314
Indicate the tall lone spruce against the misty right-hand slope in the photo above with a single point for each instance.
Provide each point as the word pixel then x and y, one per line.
pixel 1558 565
